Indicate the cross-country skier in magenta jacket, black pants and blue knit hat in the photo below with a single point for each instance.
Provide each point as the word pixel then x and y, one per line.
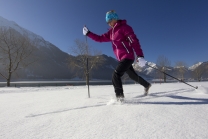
pixel 124 43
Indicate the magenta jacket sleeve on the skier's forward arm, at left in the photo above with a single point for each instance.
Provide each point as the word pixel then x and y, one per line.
pixel 102 38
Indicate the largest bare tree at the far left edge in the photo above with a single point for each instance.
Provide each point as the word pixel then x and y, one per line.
pixel 15 50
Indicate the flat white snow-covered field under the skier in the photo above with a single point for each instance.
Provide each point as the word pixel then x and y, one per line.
pixel 170 111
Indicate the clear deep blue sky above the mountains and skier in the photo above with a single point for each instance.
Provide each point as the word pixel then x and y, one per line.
pixel 176 29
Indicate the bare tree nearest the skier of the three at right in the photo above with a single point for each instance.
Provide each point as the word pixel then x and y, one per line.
pixel 163 63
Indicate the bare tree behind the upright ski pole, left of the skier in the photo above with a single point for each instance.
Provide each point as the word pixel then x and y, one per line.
pixel 82 53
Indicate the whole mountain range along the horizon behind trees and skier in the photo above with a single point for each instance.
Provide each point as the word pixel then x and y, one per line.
pixel 52 63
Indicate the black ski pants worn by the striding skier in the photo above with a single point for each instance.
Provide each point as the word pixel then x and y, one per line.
pixel 123 66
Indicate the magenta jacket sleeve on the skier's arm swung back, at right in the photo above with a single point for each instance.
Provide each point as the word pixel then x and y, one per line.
pixel 129 33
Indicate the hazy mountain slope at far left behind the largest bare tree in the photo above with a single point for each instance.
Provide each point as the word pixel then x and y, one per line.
pixel 51 62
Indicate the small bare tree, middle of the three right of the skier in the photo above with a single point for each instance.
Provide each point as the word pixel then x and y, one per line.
pixel 182 68
